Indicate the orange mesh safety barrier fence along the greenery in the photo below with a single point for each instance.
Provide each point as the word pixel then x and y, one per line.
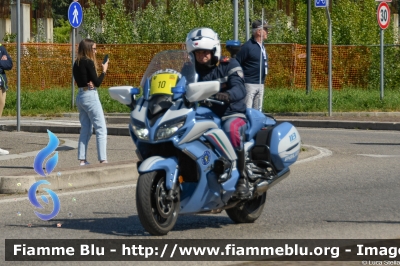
pixel 45 66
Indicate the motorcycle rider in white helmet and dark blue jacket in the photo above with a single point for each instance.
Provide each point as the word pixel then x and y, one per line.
pixel 205 46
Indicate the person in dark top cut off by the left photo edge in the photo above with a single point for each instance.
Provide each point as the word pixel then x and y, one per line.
pixel 5 64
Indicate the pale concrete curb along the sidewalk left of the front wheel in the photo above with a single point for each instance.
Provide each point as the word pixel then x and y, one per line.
pixel 78 177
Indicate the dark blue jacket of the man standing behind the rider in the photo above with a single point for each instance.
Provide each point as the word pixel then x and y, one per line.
pixel 249 58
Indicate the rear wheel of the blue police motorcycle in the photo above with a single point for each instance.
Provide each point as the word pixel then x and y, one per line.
pixel 249 211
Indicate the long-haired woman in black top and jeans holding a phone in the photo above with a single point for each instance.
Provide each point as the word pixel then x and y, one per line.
pixel 88 102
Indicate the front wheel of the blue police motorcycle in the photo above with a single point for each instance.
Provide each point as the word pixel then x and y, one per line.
pixel 157 213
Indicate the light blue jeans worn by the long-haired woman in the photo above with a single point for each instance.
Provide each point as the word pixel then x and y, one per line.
pixel 91 114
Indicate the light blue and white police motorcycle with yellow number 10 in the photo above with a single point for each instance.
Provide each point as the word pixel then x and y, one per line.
pixel 187 164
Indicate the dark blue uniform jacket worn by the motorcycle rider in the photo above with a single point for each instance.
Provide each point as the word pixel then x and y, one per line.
pixel 229 73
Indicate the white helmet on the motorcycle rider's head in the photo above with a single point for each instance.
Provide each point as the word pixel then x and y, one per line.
pixel 204 39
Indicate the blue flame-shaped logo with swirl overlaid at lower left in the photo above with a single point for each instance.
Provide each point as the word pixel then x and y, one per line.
pixel 49 167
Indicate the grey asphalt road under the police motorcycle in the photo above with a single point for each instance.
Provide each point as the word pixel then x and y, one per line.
pixel 351 194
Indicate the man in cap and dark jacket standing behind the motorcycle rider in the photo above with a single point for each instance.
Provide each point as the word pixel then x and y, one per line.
pixel 254 60
